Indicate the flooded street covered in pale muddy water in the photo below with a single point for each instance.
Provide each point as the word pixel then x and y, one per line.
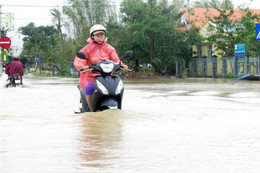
pixel 168 125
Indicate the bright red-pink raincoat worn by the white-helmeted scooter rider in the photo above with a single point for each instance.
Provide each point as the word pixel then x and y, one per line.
pixel 95 52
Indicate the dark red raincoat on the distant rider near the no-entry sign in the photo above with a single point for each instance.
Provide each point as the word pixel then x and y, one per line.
pixel 13 67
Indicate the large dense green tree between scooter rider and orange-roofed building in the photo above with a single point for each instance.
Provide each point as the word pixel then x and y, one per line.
pixel 152 27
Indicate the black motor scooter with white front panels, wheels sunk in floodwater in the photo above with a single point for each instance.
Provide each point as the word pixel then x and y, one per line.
pixel 109 88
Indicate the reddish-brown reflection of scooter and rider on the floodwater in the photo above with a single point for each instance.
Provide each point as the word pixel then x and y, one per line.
pixel 101 134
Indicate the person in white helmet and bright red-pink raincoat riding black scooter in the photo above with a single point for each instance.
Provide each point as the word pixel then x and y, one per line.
pixel 97 50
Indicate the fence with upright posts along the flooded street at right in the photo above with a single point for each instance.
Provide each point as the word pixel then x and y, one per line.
pixel 225 66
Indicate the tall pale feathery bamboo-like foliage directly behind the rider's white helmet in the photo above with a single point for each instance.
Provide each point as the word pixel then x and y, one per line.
pixel 82 14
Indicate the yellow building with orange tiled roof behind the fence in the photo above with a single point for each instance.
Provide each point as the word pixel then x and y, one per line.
pixel 199 18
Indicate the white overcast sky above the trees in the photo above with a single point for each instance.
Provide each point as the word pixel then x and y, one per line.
pixel 38 12
